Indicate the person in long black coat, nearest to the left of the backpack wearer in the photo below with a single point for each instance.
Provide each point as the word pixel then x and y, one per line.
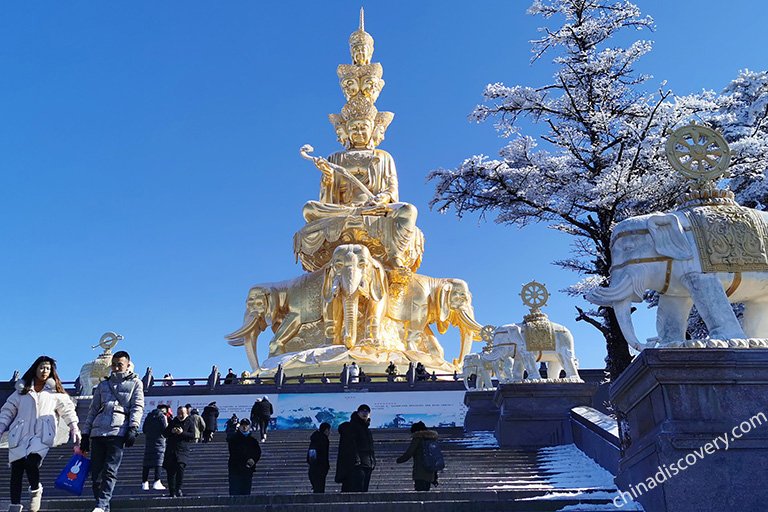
pixel 356 459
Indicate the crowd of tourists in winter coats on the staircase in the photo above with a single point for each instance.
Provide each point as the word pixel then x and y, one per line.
pixel 32 412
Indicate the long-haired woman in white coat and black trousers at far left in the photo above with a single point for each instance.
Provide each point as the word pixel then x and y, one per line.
pixel 30 415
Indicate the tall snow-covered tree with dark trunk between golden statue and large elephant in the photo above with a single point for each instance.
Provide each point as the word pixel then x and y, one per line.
pixel 601 158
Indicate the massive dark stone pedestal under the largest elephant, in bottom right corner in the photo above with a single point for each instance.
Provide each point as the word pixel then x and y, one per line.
pixel 671 405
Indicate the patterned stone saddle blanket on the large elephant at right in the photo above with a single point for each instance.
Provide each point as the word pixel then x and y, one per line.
pixel 730 238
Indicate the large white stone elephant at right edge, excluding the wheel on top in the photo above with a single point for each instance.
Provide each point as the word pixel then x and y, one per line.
pixel 660 252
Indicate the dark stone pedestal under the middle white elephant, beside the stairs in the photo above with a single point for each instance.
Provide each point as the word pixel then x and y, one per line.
pixel 535 415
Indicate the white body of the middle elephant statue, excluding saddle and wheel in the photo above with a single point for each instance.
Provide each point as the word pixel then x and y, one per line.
pixel 509 338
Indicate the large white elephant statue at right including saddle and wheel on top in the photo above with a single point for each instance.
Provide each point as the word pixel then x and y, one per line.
pixel 710 252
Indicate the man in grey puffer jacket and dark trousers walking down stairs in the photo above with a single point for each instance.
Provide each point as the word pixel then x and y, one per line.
pixel 112 424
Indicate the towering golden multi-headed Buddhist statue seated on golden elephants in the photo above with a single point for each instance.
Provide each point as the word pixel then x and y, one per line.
pixel 360 300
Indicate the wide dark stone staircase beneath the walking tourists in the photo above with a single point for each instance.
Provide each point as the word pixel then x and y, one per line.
pixel 478 476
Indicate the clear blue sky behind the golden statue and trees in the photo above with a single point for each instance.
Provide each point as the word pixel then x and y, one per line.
pixel 149 166
